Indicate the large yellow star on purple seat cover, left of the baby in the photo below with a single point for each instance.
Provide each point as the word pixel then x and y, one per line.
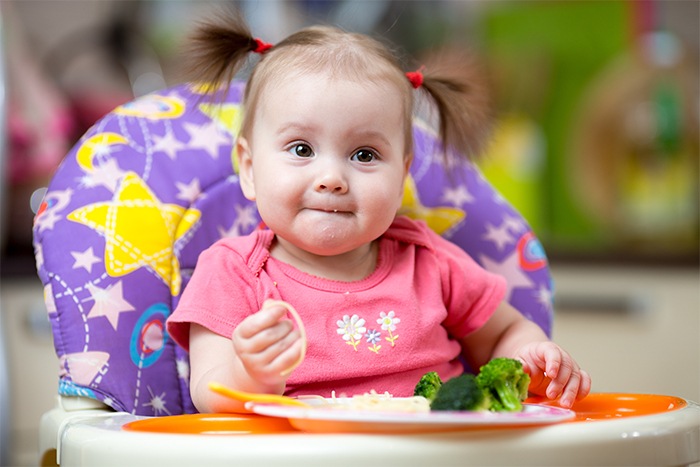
pixel 139 230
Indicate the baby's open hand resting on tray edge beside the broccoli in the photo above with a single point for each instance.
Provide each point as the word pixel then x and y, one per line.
pixel 554 373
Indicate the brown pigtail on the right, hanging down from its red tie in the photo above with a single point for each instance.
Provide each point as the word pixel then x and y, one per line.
pixel 462 99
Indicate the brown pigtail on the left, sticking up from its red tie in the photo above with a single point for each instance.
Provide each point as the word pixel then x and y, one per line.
pixel 217 50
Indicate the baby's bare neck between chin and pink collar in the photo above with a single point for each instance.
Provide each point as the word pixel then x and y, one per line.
pixel 352 266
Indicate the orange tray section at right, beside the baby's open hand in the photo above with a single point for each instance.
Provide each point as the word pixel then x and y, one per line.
pixel 606 406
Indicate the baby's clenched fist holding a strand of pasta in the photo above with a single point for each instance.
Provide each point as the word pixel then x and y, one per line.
pixel 267 345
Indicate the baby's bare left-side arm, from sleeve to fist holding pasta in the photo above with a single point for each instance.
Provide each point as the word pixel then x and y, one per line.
pixel 262 347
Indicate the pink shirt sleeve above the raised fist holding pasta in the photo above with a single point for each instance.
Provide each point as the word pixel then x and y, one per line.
pixel 221 292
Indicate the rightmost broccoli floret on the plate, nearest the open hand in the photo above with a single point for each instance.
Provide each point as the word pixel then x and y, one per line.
pixel 507 383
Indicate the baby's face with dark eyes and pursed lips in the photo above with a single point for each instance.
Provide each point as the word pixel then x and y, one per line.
pixel 325 161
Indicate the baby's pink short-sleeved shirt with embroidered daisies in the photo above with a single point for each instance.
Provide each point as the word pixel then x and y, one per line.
pixel 382 332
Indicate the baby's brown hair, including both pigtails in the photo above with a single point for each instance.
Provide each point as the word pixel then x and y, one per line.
pixel 220 47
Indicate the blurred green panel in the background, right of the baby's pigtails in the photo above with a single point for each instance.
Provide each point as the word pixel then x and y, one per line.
pixel 544 55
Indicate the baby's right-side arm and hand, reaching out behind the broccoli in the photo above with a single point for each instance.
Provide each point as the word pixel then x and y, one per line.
pixel 553 371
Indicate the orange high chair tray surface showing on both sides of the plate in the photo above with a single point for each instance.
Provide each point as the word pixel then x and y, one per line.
pixel 595 407
